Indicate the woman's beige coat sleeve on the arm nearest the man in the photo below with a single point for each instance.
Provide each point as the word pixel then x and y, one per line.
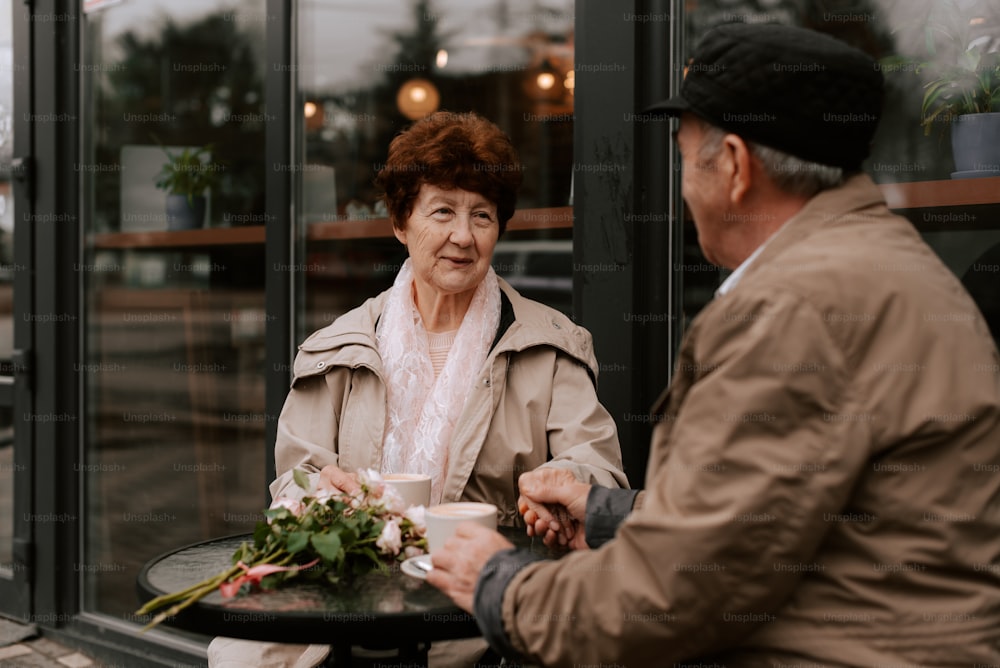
pixel 583 437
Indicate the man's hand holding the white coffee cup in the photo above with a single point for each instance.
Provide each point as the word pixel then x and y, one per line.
pixel 458 564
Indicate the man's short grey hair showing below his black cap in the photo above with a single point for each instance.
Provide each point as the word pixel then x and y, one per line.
pixel 792 175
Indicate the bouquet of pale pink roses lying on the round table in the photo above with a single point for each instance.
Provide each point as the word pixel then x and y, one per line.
pixel 327 536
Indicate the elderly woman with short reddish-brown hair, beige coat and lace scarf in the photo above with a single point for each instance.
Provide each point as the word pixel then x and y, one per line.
pixel 450 372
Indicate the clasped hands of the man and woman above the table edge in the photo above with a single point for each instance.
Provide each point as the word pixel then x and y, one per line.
pixel 554 505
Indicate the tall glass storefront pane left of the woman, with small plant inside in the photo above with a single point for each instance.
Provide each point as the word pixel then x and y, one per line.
pixel 173 364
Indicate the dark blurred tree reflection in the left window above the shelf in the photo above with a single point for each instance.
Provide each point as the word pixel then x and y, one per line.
pixel 190 83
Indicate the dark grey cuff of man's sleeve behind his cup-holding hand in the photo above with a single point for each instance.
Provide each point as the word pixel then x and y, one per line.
pixel 488 600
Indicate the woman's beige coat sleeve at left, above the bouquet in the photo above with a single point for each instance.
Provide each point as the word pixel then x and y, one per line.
pixel 308 427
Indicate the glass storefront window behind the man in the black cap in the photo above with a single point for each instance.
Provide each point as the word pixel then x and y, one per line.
pixel 954 209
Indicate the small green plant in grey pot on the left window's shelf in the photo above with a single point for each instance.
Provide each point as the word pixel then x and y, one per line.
pixel 186 176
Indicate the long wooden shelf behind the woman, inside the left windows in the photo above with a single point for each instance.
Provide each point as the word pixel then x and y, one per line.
pixel 371 228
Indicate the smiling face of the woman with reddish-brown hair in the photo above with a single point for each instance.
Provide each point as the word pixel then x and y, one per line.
pixel 450 235
